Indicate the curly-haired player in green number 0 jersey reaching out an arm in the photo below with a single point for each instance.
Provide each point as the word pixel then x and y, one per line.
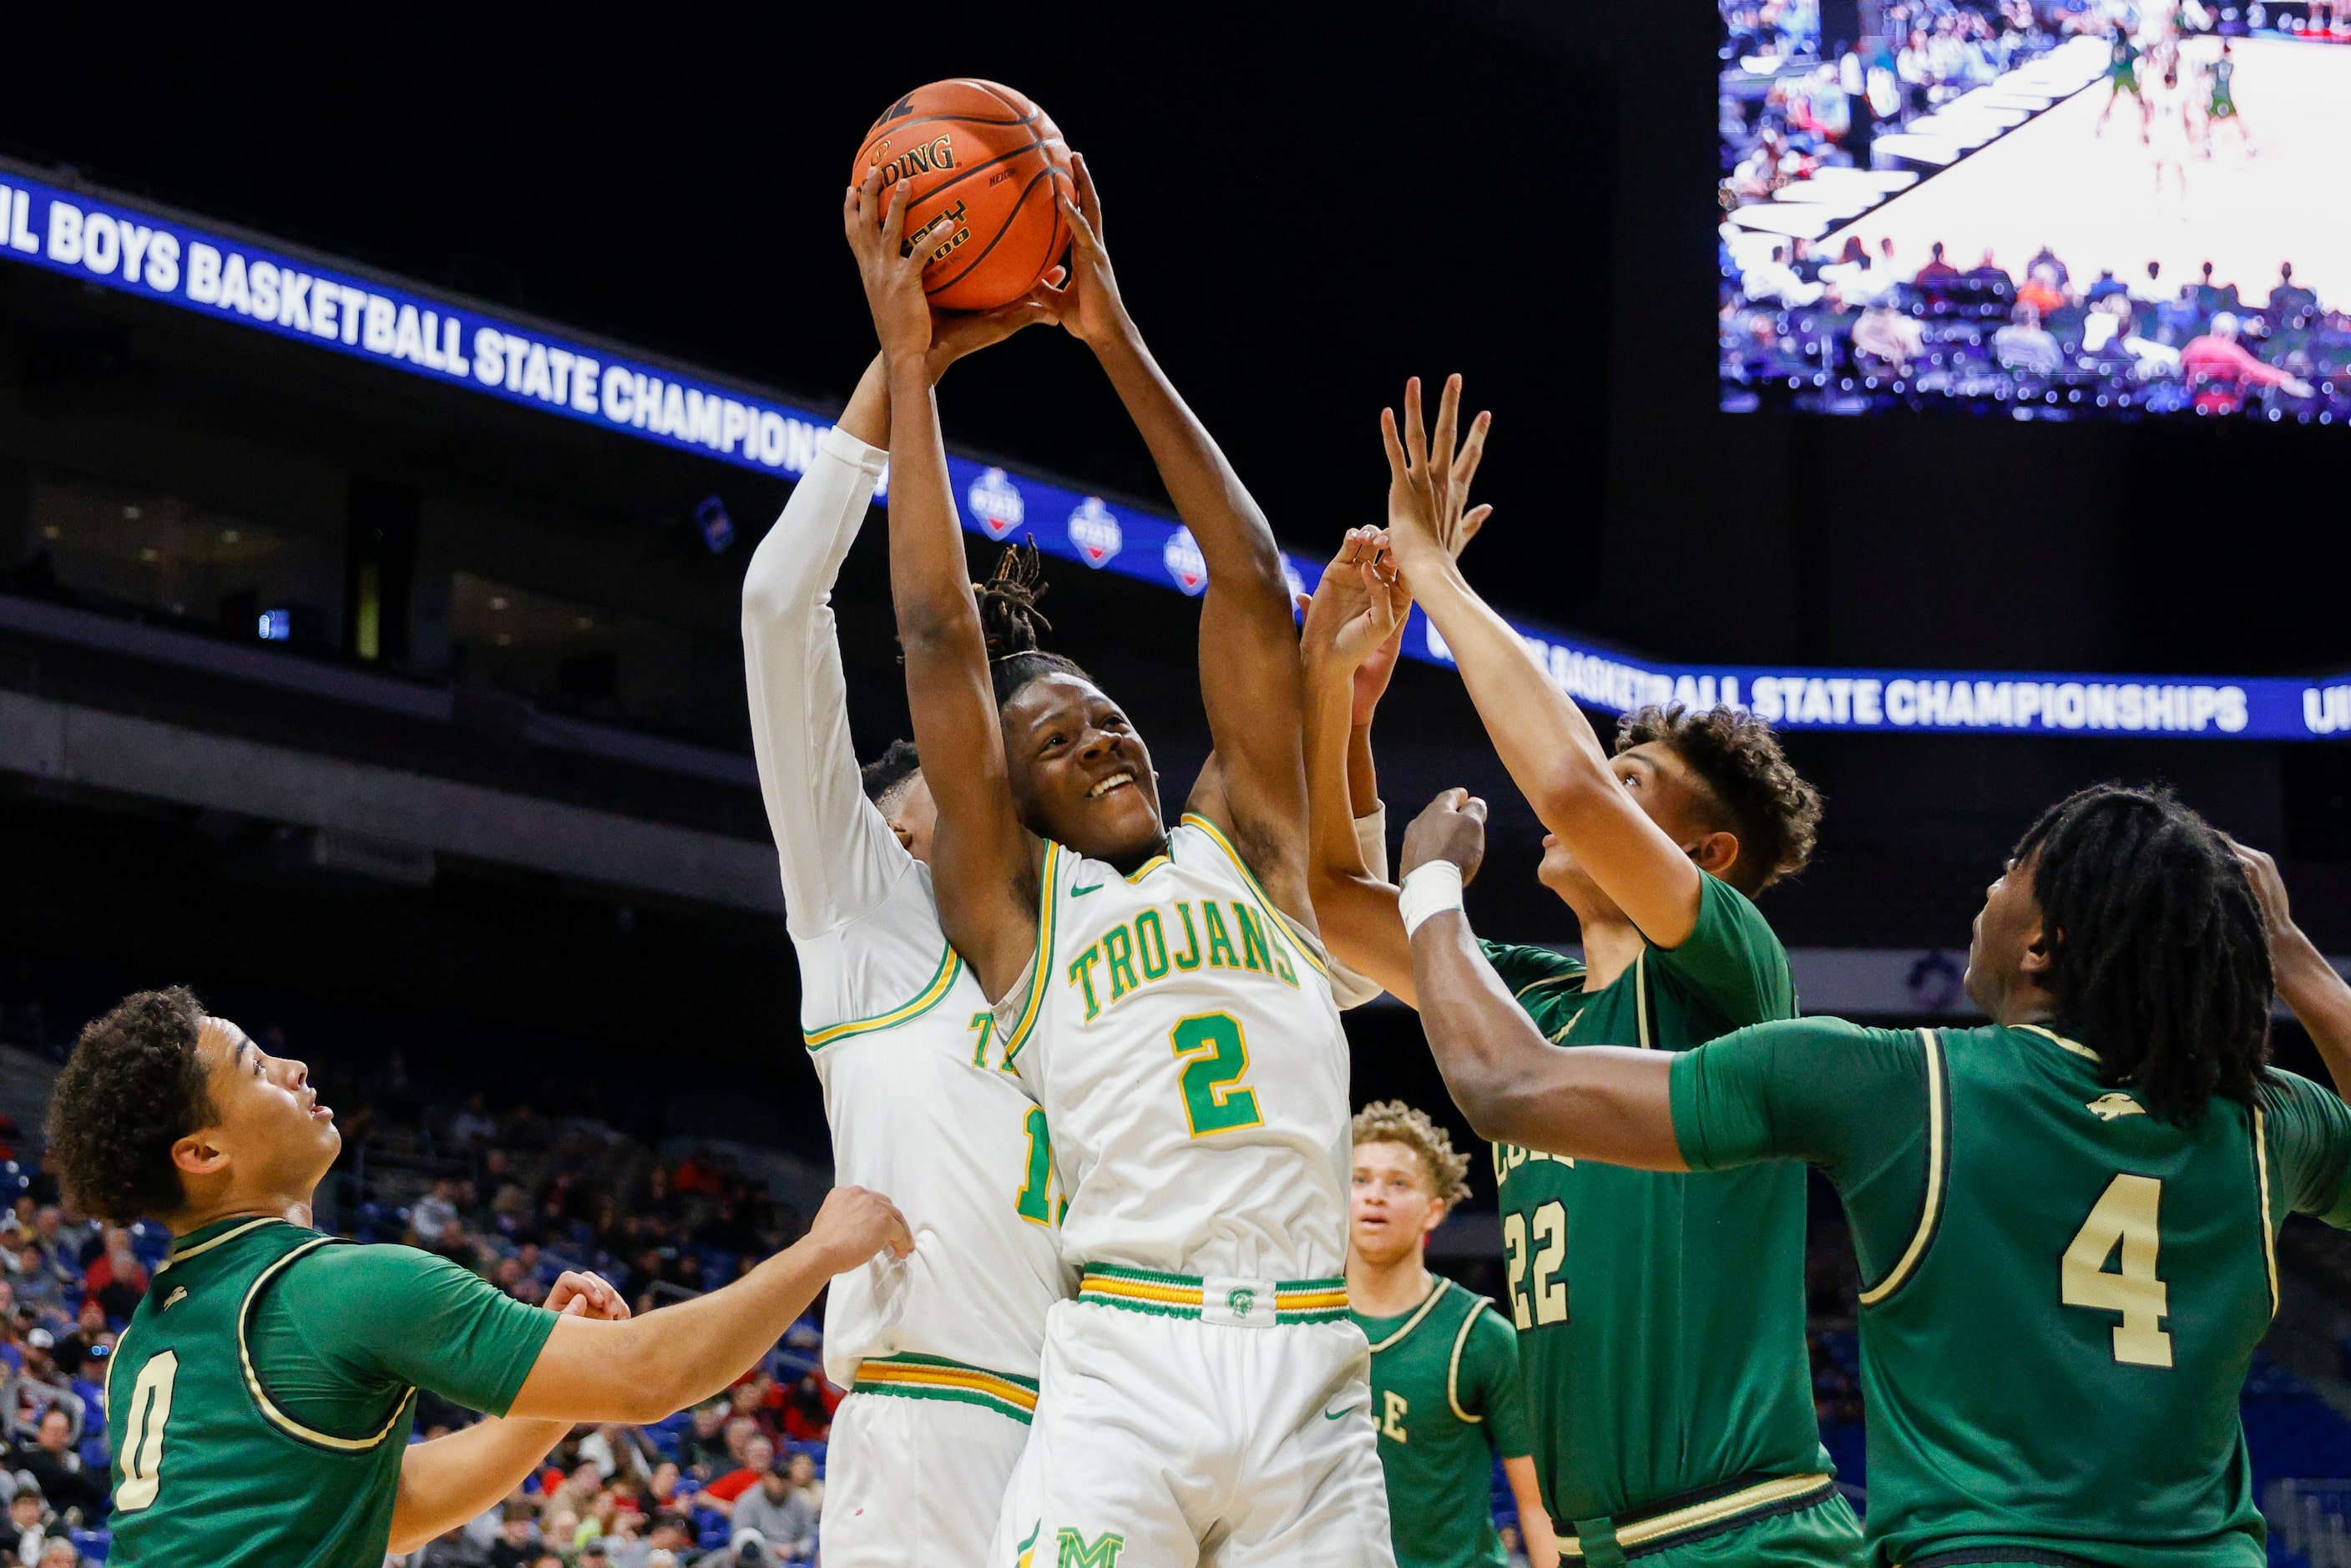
pixel 264 1391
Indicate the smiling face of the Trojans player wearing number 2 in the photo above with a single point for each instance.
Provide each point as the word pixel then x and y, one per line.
pixel 1080 772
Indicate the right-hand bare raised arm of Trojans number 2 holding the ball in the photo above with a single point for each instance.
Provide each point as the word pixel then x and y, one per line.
pixel 1247 631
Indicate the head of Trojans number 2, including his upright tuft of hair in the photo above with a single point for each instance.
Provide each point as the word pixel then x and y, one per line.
pixel 1078 770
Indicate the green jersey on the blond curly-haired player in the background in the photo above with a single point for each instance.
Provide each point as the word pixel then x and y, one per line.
pixel 1445 1393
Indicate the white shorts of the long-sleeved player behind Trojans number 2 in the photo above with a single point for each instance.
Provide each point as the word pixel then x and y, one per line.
pixel 916 1482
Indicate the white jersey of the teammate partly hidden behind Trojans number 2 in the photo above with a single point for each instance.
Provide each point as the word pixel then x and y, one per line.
pixel 927 1115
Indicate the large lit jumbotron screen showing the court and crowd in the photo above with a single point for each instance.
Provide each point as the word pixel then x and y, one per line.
pixel 2037 208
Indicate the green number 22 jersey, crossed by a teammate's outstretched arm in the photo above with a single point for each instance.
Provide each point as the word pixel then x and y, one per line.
pixel 1661 1318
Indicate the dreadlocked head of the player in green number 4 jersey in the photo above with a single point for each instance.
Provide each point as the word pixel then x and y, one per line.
pixel 2126 920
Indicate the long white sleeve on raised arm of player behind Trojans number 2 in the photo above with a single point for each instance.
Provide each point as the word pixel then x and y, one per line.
pixel 840 859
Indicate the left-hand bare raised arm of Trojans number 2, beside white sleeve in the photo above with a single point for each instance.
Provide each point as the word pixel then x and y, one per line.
pixel 982 859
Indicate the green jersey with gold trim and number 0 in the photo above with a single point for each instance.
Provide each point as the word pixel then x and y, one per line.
pixel 264 1391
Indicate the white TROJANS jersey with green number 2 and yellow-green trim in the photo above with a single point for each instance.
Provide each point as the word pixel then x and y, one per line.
pixel 1188 1054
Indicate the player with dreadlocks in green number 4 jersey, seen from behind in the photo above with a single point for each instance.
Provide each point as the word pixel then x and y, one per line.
pixel 2065 1219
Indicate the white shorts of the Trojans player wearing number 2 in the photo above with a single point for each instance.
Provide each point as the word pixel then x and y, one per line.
pixel 1170 1442
